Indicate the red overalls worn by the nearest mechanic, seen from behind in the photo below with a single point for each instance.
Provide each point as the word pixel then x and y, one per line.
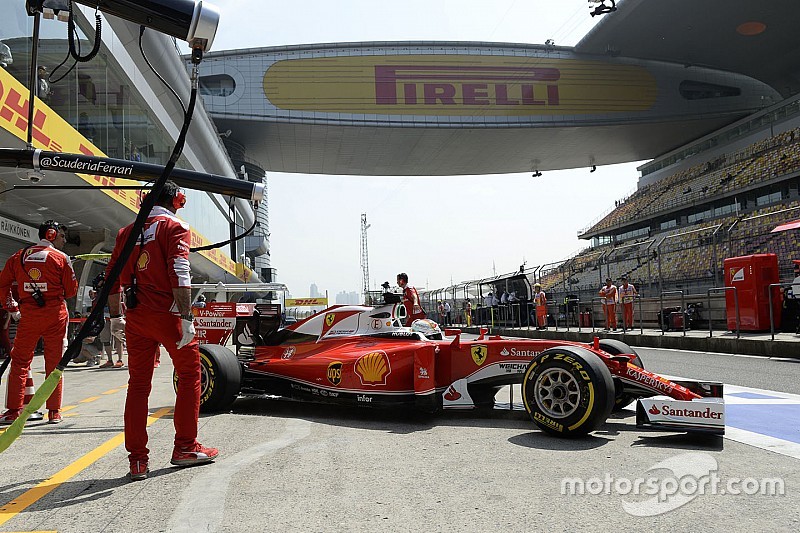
pixel 158 266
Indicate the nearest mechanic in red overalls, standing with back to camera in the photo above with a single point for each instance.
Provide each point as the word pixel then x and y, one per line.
pixel 159 312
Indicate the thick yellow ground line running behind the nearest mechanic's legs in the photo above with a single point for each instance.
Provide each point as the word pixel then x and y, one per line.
pixel 25 500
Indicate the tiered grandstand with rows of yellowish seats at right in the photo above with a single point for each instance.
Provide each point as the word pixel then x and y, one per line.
pixel 720 196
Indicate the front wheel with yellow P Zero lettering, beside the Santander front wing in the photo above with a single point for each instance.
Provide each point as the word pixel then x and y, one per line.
pixel 568 391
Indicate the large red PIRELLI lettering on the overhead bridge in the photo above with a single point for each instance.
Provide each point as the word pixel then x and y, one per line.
pixel 443 85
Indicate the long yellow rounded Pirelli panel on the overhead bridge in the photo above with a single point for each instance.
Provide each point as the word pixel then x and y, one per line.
pixel 458 85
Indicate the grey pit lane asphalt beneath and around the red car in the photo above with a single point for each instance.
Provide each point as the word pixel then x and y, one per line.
pixel 293 467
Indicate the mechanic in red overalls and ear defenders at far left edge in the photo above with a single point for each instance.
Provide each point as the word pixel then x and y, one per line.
pixel 44 276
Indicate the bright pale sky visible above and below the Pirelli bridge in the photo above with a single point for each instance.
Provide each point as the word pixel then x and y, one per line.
pixel 439 230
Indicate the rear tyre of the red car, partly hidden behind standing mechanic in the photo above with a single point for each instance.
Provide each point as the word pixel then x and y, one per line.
pixel 220 378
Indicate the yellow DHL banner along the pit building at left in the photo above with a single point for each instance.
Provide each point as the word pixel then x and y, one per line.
pixel 51 132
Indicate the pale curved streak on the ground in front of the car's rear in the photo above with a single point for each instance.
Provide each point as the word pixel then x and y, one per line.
pixel 207 513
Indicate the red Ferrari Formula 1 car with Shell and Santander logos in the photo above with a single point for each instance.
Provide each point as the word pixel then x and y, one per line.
pixel 356 355
